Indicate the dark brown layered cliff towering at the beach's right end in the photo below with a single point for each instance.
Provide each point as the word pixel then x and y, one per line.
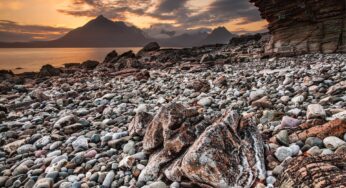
pixel 310 26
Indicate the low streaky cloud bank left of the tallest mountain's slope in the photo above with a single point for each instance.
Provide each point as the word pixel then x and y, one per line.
pixel 11 31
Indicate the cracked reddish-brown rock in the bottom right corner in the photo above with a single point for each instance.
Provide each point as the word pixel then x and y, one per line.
pixel 316 171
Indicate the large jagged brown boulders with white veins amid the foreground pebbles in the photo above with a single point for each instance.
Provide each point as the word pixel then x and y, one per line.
pixel 226 153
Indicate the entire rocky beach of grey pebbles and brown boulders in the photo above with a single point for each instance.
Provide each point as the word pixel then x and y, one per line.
pixel 217 116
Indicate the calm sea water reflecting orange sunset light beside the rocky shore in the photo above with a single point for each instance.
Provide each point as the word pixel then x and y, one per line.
pixel 32 59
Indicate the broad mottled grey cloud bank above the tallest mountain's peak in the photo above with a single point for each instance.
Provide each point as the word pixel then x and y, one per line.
pixel 216 13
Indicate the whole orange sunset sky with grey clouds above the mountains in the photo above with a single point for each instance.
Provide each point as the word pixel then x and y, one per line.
pixel 27 20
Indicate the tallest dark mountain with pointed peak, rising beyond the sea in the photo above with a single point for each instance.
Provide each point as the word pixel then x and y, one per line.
pixel 99 32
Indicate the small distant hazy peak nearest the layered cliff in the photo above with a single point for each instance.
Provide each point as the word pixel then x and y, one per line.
pixel 219 35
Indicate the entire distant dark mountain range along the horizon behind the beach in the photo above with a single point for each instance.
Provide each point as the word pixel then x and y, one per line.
pixel 102 32
